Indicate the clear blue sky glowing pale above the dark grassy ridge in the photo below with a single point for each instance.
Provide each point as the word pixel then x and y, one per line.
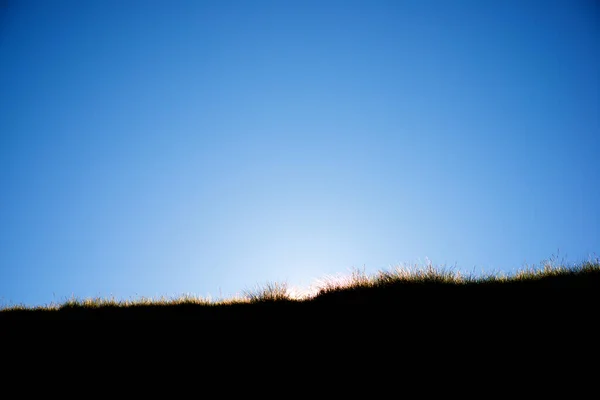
pixel 157 148
